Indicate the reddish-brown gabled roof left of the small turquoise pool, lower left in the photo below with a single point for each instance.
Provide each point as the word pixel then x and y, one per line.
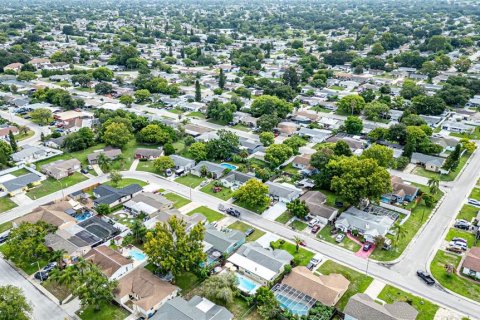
pixel 107 259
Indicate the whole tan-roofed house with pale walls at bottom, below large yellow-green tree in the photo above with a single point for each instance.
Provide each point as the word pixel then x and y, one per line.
pixel 142 292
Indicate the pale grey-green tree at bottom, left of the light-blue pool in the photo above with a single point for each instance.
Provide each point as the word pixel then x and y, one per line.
pixel 221 287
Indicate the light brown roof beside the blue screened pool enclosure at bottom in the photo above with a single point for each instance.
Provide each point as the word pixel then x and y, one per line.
pixel 325 289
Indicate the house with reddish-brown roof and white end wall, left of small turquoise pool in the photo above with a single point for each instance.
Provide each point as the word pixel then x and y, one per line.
pixel 112 264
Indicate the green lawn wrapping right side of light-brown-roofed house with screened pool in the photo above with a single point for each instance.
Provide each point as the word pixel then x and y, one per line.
pixel 358 281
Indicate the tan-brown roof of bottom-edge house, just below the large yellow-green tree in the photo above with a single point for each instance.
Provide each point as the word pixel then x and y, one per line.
pixel 147 289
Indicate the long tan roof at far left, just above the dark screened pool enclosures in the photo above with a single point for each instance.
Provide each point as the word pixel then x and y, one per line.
pixel 53 214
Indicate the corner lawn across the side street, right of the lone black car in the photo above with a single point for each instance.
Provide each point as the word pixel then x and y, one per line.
pixel 452 281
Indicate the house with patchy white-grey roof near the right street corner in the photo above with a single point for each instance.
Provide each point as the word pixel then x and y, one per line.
pixel 368 224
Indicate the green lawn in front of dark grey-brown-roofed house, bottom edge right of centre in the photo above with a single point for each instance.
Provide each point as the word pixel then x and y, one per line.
pixel 426 309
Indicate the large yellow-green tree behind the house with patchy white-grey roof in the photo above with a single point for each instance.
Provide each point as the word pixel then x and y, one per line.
pixel 357 179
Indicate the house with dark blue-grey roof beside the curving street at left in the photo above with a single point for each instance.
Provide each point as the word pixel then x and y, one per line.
pixel 105 194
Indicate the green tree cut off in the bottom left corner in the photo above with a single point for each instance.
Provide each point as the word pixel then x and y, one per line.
pixel 13 304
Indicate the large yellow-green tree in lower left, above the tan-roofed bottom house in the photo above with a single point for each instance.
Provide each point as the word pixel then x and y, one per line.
pixel 172 249
